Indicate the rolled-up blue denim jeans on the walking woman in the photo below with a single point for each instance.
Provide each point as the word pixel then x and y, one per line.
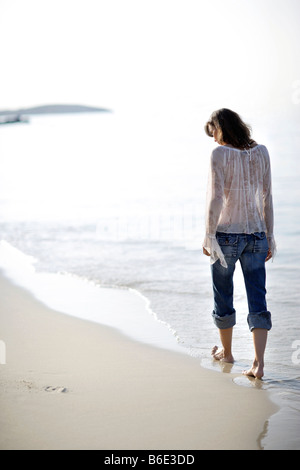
pixel 251 250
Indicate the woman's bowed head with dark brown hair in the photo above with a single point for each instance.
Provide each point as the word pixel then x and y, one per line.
pixel 232 129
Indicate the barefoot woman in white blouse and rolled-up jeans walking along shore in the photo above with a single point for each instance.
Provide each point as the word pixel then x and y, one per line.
pixel 239 226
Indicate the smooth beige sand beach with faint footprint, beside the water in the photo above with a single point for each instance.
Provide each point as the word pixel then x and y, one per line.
pixel 74 384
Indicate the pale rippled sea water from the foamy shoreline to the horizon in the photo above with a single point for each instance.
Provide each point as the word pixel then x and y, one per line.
pixel 119 201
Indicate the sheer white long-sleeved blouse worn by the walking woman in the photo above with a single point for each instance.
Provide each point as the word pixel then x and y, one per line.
pixel 239 196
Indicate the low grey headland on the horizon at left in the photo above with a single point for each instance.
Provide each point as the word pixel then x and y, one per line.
pixel 54 109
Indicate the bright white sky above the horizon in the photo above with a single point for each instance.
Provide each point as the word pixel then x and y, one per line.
pixel 150 54
